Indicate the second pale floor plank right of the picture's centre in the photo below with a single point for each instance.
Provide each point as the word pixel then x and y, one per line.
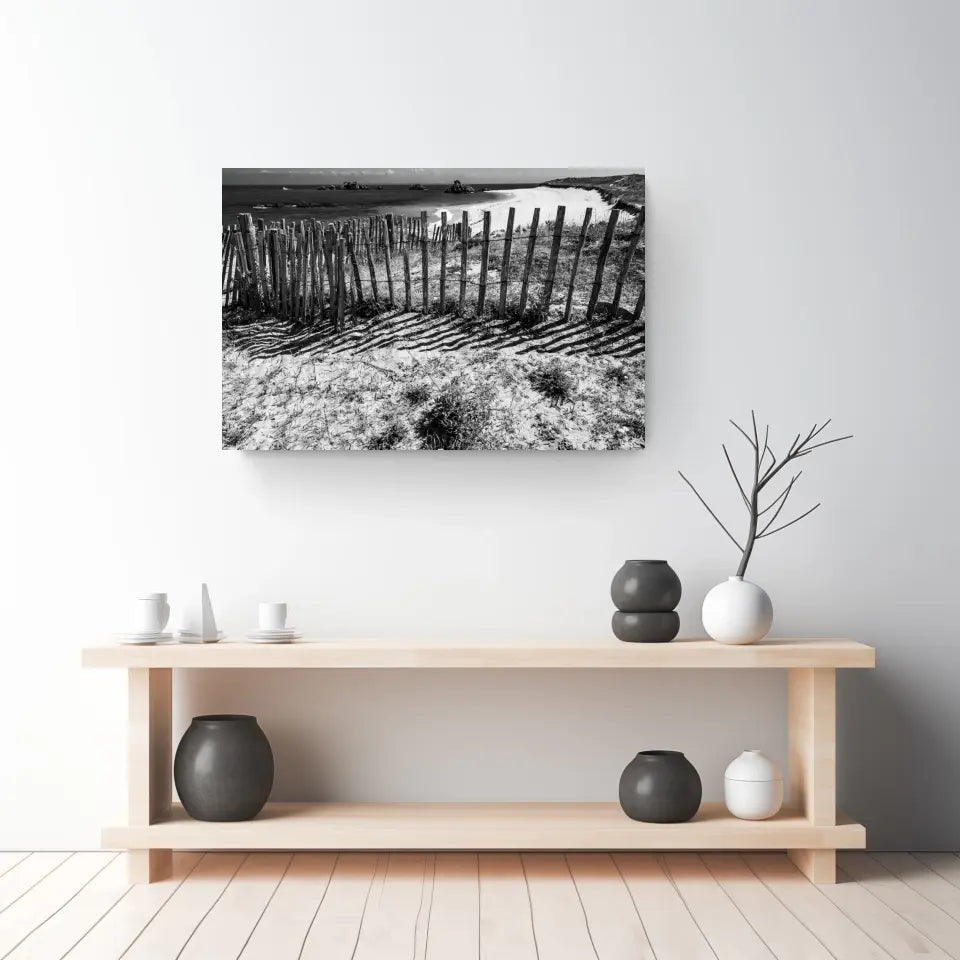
pixel 559 923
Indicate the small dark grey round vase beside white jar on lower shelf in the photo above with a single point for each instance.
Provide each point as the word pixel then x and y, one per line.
pixel 660 786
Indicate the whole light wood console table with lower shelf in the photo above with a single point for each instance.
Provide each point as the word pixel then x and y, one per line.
pixel 809 829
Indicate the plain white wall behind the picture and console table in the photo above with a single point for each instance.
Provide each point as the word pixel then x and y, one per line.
pixel 803 255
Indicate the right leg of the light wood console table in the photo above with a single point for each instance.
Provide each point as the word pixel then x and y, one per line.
pixel 812 733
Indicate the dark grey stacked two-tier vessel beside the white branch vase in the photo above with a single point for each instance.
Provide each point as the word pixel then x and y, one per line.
pixel 646 593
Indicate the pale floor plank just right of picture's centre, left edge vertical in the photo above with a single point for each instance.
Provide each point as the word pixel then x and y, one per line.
pixel 506 925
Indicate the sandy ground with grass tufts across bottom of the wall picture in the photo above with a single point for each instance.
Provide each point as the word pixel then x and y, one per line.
pixel 417 400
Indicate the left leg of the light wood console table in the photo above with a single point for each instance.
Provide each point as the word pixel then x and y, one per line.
pixel 149 760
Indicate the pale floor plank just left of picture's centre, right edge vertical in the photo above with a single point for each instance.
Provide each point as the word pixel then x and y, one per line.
pixel 453 929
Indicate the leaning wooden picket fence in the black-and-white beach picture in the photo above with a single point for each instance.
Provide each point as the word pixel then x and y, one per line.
pixel 311 271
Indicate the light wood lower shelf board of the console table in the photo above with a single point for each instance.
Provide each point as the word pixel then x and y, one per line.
pixel 482 826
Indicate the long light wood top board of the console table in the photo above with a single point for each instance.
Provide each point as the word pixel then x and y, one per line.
pixel 594 653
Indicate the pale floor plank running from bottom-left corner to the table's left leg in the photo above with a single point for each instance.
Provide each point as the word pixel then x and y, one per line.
pixel 74 918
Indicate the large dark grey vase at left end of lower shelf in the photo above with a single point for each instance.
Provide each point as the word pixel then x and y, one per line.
pixel 223 768
